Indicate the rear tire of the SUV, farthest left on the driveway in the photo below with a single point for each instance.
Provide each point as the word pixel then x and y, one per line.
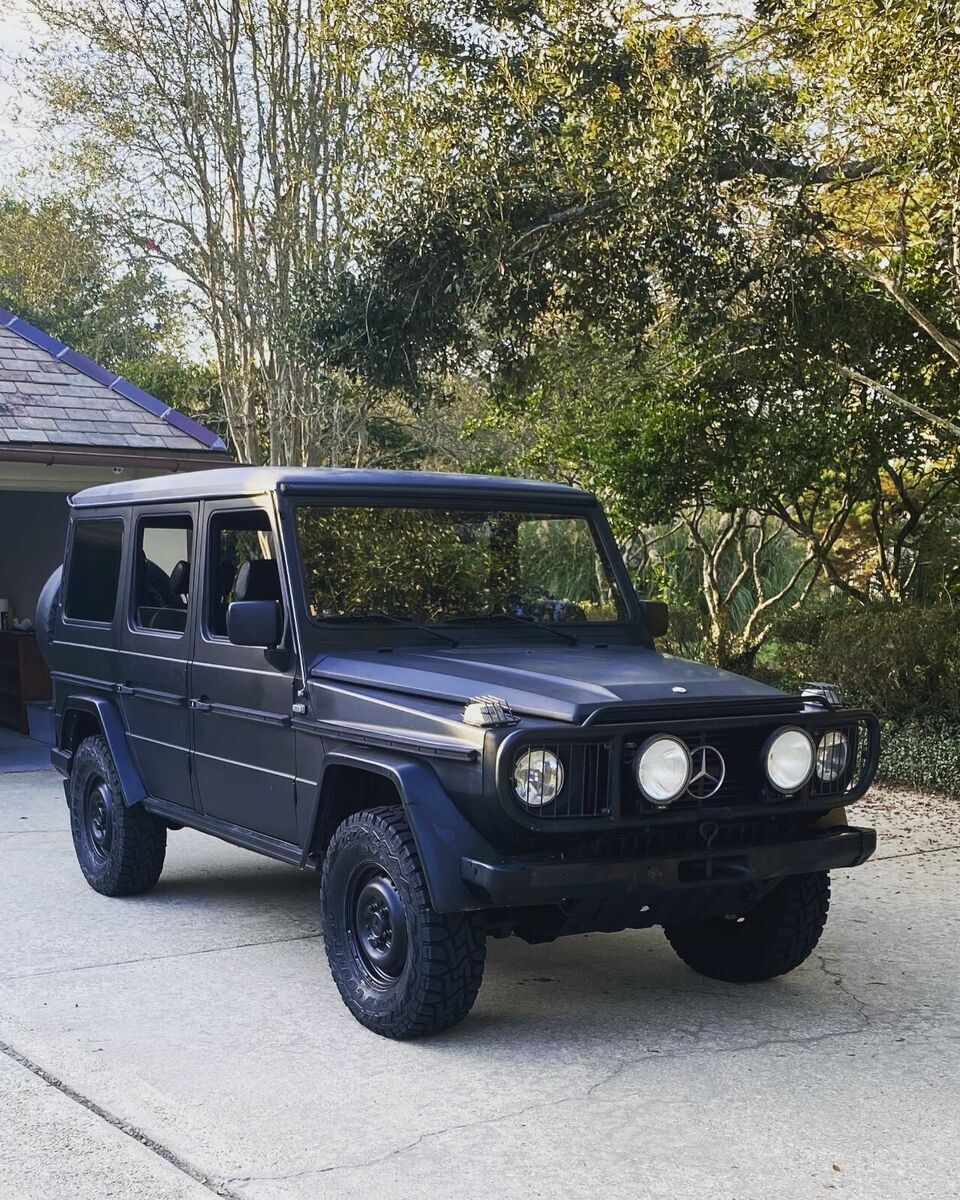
pixel 128 857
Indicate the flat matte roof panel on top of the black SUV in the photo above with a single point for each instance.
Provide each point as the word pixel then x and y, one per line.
pixel 328 482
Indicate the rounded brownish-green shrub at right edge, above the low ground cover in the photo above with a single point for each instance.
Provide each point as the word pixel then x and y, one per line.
pixel 903 662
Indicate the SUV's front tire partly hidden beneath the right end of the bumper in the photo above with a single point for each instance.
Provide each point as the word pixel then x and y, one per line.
pixel 772 940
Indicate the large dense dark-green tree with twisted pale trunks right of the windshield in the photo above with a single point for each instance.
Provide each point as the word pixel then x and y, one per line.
pixel 628 233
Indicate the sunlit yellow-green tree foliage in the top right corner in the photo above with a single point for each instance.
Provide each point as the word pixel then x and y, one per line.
pixel 881 85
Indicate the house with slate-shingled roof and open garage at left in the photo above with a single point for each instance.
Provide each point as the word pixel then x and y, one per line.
pixel 68 423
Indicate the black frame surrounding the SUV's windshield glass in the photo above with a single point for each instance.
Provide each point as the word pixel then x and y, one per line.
pixel 581 507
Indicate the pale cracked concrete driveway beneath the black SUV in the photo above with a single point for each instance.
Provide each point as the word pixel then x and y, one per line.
pixel 191 1043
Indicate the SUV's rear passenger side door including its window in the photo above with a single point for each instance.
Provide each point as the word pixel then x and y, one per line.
pixel 155 649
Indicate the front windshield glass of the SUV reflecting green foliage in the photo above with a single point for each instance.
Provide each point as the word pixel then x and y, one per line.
pixel 437 566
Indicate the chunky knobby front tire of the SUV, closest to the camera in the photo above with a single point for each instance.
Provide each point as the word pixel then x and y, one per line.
pixel 437 979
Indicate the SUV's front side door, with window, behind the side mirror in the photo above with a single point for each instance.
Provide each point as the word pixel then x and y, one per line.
pixel 242 697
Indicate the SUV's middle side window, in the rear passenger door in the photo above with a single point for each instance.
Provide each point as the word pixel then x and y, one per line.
pixel 161 574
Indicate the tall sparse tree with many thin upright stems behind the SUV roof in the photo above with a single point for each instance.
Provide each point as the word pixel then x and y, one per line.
pixel 244 141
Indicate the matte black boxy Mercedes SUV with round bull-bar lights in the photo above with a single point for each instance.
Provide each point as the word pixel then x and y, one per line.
pixel 443 693
